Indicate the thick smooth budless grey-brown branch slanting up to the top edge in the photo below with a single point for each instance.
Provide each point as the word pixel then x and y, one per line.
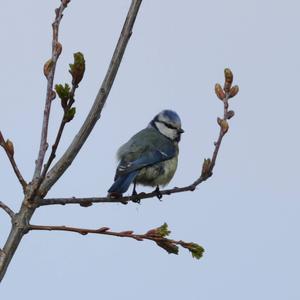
pixel 94 115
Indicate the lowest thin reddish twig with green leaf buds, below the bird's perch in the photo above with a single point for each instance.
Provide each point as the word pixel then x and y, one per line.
pixel 158 235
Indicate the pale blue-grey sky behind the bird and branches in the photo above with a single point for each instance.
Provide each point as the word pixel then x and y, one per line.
pixel 246 216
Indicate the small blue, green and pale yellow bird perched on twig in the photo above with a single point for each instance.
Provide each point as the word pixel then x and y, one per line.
pixel 150 157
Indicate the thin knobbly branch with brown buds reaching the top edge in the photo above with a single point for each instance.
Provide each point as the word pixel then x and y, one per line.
pixel 49 71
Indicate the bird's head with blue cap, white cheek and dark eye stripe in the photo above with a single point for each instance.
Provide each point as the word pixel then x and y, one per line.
pixel 168 123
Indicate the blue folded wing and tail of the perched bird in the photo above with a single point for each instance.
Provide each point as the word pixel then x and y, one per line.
pixel 128 170
